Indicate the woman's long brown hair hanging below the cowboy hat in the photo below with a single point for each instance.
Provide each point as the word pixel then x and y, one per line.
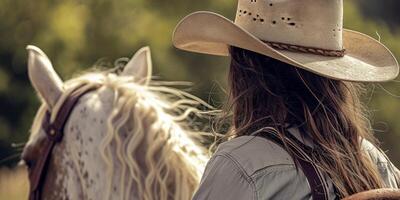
pixel 265 92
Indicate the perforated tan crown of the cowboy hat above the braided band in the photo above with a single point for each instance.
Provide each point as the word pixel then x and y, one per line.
pixel 309 23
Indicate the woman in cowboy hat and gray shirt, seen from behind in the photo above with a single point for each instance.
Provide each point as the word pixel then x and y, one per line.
pixel 299 128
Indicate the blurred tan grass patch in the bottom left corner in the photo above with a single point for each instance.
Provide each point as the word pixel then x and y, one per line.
pixel 14 184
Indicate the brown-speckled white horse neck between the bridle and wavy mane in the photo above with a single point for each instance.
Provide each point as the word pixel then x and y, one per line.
pixel 83 135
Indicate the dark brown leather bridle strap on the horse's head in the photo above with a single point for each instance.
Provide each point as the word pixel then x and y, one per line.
pixel 54 135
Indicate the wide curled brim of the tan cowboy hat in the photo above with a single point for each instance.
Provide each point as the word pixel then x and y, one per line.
pixel 366 59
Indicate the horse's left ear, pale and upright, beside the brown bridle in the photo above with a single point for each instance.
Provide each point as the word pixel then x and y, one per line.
pixel 43 77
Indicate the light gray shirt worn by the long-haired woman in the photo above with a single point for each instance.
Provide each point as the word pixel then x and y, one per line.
pixel 253 168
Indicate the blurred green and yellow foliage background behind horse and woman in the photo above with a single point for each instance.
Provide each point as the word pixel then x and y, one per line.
pixel 76 34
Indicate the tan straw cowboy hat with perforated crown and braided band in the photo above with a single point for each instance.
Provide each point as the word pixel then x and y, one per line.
pixel 307 34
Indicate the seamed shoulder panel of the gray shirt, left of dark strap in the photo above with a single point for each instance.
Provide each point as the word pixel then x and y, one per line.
pixel 253 153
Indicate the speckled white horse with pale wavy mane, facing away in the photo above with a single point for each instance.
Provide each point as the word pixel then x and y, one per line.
pixel 128 137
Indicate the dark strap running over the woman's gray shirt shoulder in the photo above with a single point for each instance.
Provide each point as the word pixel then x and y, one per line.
pixel 300 154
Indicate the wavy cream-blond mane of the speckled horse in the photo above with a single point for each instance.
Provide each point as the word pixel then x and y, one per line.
pixel 149 122
